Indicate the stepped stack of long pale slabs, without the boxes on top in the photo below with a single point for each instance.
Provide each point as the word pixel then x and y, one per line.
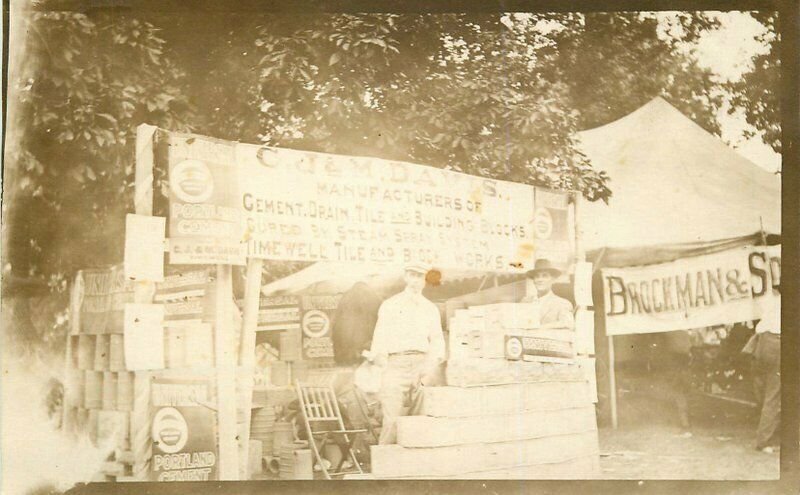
pixel 544 428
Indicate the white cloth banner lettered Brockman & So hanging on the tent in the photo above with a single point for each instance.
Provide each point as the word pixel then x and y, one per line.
pixel 714 289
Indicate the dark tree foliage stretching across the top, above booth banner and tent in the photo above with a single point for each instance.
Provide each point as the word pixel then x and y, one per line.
pixel 491 94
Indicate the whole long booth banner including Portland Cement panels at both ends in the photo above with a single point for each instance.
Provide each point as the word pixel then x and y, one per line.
pixel 230 200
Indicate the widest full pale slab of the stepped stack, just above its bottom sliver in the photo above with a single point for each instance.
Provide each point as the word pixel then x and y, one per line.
pixel 396 460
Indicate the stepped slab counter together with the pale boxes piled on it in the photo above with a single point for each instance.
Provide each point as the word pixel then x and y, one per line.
pixel 530 418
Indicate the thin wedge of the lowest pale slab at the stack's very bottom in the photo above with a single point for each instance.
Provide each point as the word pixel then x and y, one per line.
pixel 585 467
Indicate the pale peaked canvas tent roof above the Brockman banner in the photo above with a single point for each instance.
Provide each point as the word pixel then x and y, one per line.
pixel 673 183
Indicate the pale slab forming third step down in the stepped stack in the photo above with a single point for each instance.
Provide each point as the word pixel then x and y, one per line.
pixel 426 431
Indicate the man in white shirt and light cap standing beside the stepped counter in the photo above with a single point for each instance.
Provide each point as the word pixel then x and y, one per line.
pixel 408 343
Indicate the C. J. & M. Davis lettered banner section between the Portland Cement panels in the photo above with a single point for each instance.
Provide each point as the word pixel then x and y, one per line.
pixel 314 207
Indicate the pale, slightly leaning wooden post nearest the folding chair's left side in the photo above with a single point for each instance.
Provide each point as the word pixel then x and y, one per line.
pixel 252 296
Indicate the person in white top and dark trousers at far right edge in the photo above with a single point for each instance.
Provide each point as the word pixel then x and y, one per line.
pixel 767 373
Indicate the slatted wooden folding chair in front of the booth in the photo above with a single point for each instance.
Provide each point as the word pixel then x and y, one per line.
pixel 324 424
